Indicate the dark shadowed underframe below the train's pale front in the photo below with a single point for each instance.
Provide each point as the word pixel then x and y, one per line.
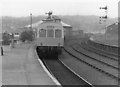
pixel 50 52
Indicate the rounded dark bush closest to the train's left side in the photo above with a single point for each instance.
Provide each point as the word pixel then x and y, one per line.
pixel 27 36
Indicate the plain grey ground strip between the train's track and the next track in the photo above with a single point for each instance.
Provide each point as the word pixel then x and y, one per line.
pixel 87 72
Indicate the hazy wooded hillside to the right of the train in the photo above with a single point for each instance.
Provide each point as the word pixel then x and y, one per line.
pixel 86 23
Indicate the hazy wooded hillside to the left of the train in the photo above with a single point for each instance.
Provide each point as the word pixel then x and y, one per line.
pixel 12 23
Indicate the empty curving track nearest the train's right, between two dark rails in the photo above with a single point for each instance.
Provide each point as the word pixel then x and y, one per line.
pixel 96 65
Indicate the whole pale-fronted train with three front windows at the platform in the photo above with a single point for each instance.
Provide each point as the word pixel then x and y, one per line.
pixel 50 35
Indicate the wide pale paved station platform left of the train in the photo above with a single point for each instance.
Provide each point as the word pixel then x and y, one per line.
pixel 20 66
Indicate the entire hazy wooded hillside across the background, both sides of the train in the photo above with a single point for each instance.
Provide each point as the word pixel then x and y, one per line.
pixel 86 23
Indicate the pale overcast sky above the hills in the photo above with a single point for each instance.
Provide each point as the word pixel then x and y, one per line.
pixel 20 8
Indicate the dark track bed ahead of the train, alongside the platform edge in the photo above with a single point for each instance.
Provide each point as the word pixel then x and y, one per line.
pixel 64 74
